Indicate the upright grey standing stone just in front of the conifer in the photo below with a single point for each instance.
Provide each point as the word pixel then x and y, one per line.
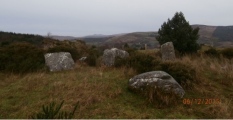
pixel 167 51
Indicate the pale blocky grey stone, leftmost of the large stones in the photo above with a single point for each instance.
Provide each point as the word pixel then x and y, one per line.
pixel 59 61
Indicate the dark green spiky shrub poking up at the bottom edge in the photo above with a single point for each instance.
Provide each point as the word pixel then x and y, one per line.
pixel 53 112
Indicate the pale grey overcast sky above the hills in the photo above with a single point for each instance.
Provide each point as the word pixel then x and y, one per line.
pixel 87 17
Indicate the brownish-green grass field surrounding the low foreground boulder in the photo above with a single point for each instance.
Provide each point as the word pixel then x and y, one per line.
pixel 102 92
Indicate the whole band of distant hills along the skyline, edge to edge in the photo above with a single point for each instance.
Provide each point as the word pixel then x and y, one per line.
pixel 218 36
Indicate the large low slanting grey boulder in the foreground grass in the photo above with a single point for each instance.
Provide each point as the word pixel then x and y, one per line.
pixel 156 80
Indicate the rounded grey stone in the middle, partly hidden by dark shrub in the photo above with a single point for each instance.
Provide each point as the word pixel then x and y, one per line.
pixel 110 55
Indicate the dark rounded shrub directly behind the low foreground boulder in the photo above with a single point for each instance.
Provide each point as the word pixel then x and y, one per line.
pixel 182 73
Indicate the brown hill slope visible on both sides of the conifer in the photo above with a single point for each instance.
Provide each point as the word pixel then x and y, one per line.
pixel 219 36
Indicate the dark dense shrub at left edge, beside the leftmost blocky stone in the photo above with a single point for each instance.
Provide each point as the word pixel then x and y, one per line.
pixel 21 58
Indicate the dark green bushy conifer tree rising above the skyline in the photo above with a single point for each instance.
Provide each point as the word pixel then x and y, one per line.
pixel 178 31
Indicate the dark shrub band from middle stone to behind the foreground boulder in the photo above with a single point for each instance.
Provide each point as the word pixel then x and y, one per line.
pixel 182 73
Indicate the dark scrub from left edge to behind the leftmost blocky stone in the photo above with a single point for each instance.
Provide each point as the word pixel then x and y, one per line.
pixel 26 56
